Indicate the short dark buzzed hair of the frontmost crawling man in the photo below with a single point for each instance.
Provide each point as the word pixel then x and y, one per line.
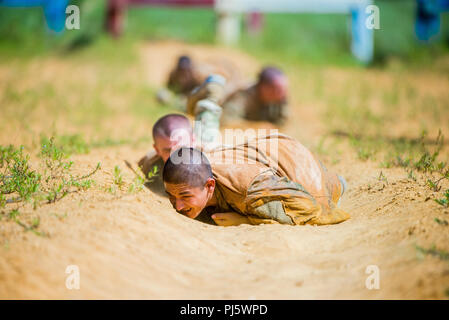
pixel 188 166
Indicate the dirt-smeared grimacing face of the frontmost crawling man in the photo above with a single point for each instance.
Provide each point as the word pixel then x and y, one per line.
pixel 190 201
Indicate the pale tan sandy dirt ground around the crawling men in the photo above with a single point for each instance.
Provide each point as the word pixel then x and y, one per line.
pixel 136 246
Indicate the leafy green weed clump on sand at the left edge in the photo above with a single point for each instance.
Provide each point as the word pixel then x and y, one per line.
pixel 21 182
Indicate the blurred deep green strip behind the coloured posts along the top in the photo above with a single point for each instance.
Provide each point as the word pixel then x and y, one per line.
pixel 298 37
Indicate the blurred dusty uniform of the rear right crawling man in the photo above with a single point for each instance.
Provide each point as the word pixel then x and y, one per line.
pixel 245 103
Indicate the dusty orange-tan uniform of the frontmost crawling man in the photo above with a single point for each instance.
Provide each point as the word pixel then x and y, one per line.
pixel 275 179
